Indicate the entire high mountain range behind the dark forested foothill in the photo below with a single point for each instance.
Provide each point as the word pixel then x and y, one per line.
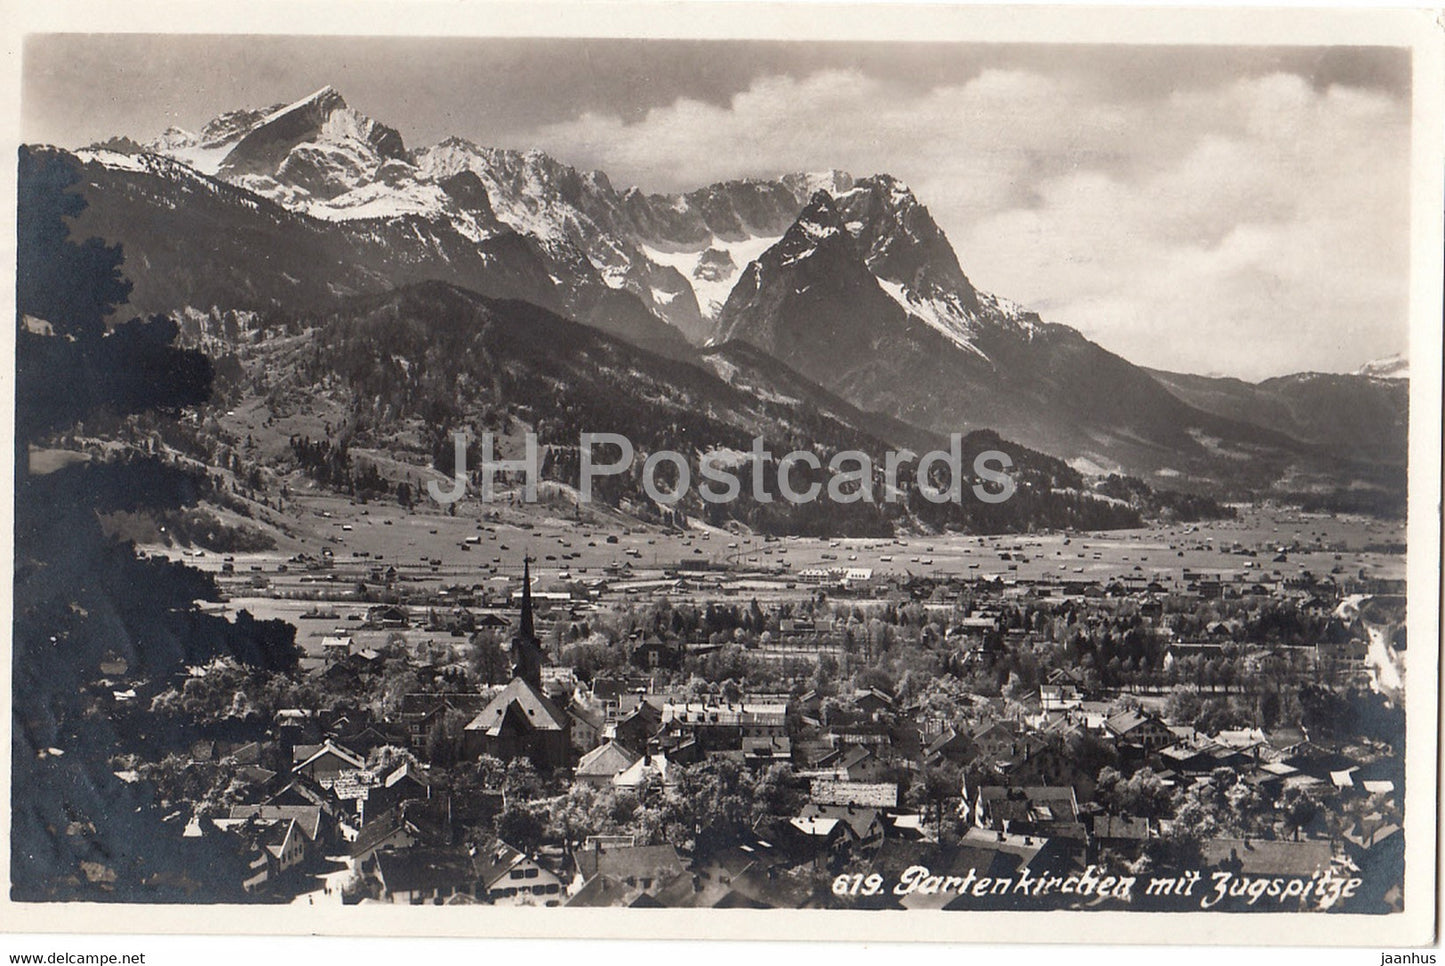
pixel 847 282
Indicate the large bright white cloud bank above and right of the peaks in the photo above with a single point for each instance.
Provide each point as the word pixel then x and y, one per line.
pixel 1254 229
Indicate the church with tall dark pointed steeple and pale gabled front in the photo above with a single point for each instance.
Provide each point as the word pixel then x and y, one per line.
pixel 522 721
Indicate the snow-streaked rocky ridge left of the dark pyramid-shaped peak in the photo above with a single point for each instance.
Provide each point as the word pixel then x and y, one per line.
pixel 322 158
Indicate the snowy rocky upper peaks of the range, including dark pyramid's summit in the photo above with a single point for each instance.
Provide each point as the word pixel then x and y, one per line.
pixel 681 255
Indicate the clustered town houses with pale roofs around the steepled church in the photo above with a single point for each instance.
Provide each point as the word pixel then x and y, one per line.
pixel 350 788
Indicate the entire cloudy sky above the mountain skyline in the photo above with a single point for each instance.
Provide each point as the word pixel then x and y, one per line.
pixel 1232 212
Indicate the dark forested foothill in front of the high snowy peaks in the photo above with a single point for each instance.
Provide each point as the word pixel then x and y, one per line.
pixel 401 370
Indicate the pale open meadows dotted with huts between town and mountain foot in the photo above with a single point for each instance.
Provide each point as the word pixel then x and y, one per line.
pixel 431 549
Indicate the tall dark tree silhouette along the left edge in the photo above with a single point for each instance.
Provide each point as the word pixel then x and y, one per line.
pixel 77 591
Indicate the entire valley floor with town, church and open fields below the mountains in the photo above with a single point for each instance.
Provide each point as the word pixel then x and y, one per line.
pixel 509 707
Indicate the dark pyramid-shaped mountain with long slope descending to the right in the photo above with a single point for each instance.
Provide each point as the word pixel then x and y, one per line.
pixel 863 294
